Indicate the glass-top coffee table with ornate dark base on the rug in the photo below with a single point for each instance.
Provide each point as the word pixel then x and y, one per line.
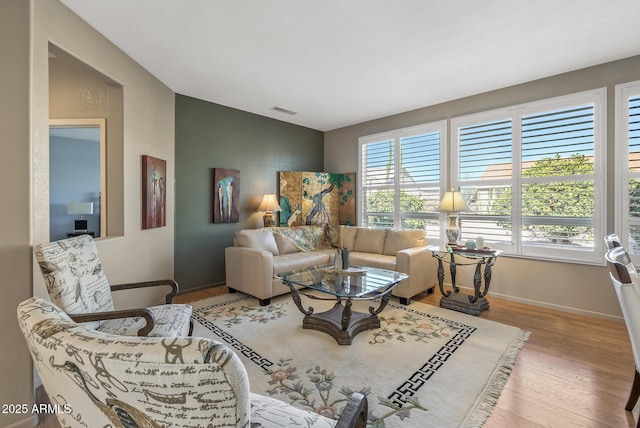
pixel 344 286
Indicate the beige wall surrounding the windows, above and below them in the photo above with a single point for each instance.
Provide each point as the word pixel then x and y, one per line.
pixel 573 287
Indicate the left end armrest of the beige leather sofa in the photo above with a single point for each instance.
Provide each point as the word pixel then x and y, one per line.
pixel 249 270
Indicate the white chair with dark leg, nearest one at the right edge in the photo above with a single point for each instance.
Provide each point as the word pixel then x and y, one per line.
pixel 626 282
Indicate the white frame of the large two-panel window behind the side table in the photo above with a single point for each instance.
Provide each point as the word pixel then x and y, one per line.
pixel 560 253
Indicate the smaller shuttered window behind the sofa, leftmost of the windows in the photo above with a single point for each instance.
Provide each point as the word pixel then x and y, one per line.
pixel 399 183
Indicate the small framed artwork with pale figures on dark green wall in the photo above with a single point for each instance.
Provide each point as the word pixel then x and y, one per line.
pixel 226 195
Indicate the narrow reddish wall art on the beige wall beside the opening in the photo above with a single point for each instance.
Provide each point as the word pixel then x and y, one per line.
pixel 154 192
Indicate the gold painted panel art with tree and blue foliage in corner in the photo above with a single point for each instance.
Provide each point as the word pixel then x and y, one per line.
pixel 308 197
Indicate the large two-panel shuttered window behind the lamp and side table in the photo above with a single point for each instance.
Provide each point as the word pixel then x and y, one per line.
pixel 533 176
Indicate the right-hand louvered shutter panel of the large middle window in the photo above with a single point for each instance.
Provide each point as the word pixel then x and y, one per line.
pixel 557 170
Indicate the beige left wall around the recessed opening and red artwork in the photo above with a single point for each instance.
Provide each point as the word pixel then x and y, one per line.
pixel 148 128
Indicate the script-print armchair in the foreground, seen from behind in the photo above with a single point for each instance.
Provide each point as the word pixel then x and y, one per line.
pixel 97 379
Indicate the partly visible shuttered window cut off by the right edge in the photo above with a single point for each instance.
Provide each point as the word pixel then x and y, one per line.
pixel 627 198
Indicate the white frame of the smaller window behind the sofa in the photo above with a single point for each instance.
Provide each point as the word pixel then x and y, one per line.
pixel 396 136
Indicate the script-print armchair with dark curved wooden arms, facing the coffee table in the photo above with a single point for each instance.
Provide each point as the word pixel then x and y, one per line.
pixel 76 283
